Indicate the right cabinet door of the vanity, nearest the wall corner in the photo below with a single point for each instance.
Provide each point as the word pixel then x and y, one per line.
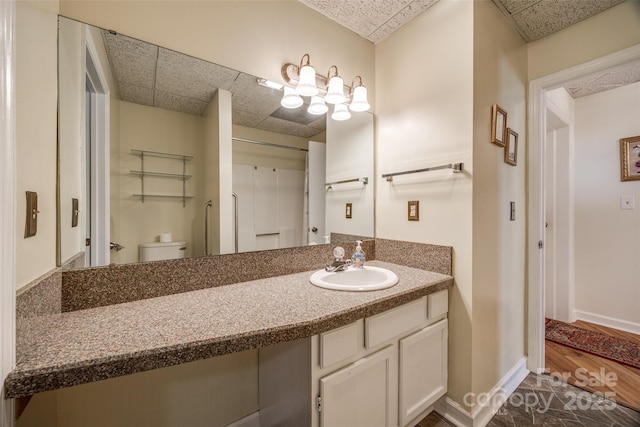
pixel 423 370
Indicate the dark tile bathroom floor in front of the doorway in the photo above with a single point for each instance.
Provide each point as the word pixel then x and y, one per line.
pixel 542 401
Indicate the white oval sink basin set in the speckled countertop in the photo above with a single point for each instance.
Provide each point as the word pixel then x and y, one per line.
pixel 355 279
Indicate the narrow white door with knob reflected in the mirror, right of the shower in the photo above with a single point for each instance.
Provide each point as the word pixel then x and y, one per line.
pixel 317 171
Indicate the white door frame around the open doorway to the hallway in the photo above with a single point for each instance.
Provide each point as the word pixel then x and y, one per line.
pixel 535 230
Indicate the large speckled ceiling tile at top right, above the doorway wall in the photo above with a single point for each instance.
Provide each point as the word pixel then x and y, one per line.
pixel 549 16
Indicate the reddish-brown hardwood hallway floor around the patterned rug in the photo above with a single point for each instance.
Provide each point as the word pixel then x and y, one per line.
pixel 595 373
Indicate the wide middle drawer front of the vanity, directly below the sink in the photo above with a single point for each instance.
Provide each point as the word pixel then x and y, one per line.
pixel 385 326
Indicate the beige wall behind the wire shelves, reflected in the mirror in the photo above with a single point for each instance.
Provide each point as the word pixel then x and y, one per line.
pixel 155 129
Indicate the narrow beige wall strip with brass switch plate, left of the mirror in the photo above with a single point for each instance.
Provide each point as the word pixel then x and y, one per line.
pixel 36 106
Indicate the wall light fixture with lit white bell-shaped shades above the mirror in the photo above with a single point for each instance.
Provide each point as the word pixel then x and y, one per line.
pixel 302 80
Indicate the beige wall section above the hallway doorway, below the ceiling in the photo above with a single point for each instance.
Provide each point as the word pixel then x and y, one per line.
pixel 610 31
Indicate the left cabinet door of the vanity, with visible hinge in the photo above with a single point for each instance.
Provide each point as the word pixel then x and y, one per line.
pixel 363 393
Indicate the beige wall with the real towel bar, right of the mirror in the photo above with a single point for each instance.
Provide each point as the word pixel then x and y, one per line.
pixel 425 118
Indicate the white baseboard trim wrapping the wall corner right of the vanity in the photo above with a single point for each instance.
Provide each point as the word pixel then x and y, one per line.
pixel 480 415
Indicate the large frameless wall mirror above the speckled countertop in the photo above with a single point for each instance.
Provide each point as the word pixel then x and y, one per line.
pixel 161 153
